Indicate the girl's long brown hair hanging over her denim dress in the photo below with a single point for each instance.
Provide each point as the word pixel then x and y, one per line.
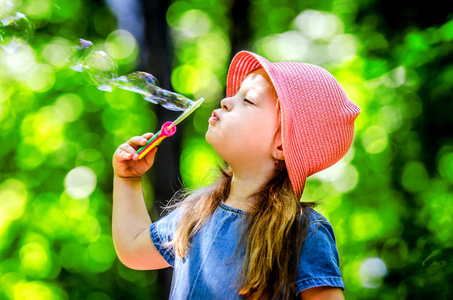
pixel 274 231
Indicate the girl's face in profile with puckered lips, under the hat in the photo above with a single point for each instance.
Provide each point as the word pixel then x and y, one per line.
pixel 243 130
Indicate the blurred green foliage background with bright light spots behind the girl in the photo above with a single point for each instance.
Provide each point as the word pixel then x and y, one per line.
pixel 389 200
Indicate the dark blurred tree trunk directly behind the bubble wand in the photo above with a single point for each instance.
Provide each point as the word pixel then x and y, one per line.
pixel 156 59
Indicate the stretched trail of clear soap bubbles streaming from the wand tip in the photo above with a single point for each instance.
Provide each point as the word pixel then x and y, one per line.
pixel 102 70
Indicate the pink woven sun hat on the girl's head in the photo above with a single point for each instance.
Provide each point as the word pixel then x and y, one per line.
pixel 317 117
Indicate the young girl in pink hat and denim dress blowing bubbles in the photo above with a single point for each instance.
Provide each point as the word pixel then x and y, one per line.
pixel 247 236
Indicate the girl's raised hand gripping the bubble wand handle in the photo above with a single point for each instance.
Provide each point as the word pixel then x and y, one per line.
pixel 125 159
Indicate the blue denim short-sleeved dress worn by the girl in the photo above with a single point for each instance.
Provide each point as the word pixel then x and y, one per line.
pixel 211 271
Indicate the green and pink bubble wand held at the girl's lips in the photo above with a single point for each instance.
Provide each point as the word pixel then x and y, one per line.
pixel 168 129
